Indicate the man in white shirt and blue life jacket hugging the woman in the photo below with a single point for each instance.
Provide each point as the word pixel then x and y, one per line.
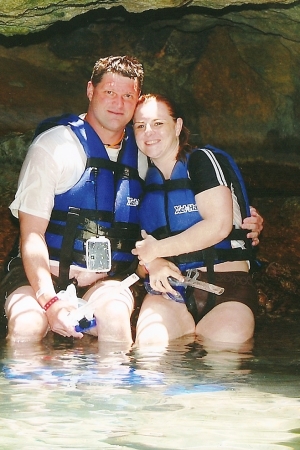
pixel 80 179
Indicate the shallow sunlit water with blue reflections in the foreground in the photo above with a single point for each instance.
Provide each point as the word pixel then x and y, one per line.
pixel 60 395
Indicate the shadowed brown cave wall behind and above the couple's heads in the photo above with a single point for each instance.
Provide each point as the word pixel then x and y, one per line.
pixel 234 72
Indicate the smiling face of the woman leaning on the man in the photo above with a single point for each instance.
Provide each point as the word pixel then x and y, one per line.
pixel 155 130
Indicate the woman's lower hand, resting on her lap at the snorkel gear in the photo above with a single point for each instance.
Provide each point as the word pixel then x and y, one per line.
pixel 159 271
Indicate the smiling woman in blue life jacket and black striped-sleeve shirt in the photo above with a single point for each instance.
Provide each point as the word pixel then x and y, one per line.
pixel 195 225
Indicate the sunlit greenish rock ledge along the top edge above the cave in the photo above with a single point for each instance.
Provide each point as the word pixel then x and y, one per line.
pixel 20 17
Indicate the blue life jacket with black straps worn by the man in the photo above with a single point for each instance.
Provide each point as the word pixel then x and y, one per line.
pixel 104 202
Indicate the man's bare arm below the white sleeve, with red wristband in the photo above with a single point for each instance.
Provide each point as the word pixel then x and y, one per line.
pixel 35 259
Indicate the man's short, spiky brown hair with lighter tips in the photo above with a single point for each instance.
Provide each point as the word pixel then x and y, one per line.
pixel 127 66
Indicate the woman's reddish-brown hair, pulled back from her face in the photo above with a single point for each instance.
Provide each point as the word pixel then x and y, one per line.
pixel 184 146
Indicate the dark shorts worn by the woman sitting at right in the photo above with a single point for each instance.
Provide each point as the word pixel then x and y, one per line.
pixel 238 287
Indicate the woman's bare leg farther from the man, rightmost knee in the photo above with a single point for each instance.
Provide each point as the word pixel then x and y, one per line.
pixel 231 322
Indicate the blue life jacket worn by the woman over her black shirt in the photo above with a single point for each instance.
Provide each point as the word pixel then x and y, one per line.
pixel 176 210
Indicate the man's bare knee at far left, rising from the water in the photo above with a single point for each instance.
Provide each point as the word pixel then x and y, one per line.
pixel 27 322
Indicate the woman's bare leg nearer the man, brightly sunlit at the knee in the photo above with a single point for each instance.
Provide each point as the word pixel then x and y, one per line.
pixel 162 320
